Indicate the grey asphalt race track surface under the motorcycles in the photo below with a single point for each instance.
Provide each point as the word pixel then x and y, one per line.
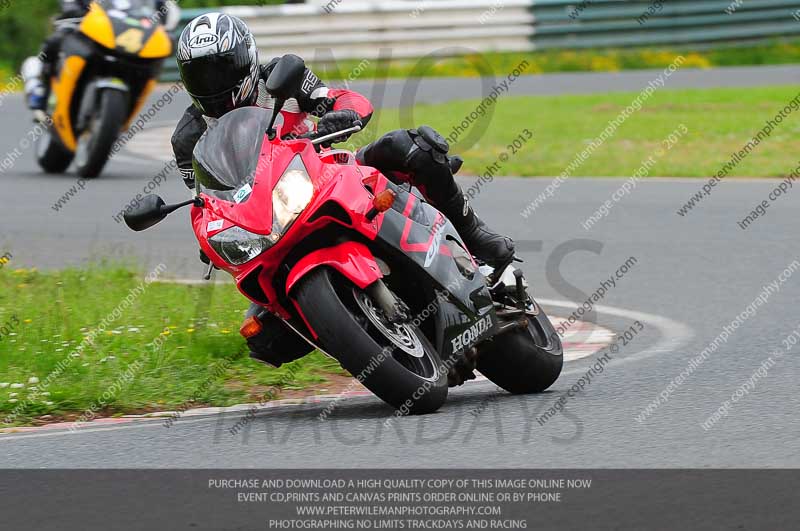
pixel 693 275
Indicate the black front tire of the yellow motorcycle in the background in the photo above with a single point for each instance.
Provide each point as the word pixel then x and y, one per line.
pixel 103 132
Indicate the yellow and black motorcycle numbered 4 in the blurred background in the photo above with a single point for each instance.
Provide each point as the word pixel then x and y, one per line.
pixel 107 68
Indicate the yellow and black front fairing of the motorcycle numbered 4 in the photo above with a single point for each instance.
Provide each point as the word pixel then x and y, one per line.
pixel 109 43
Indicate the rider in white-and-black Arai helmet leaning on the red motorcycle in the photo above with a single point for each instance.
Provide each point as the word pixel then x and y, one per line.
pixel 218 62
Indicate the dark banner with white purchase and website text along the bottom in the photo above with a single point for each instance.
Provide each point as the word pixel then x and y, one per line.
pixel 123 500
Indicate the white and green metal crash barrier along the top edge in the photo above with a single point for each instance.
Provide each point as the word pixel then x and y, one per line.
pixel 324 30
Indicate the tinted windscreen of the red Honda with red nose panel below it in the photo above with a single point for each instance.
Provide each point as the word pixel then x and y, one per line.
pixel 226 160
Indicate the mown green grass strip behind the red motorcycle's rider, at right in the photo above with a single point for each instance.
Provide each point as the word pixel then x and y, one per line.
pixel 720 121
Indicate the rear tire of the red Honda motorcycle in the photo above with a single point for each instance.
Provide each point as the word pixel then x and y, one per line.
pixel 524 361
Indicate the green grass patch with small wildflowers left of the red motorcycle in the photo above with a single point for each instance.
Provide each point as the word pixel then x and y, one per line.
pixel 198 325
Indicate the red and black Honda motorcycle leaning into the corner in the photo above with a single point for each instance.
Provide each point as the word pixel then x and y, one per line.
pixel 354 265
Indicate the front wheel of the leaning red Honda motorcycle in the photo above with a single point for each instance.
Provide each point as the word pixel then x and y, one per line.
pixel 394 361
